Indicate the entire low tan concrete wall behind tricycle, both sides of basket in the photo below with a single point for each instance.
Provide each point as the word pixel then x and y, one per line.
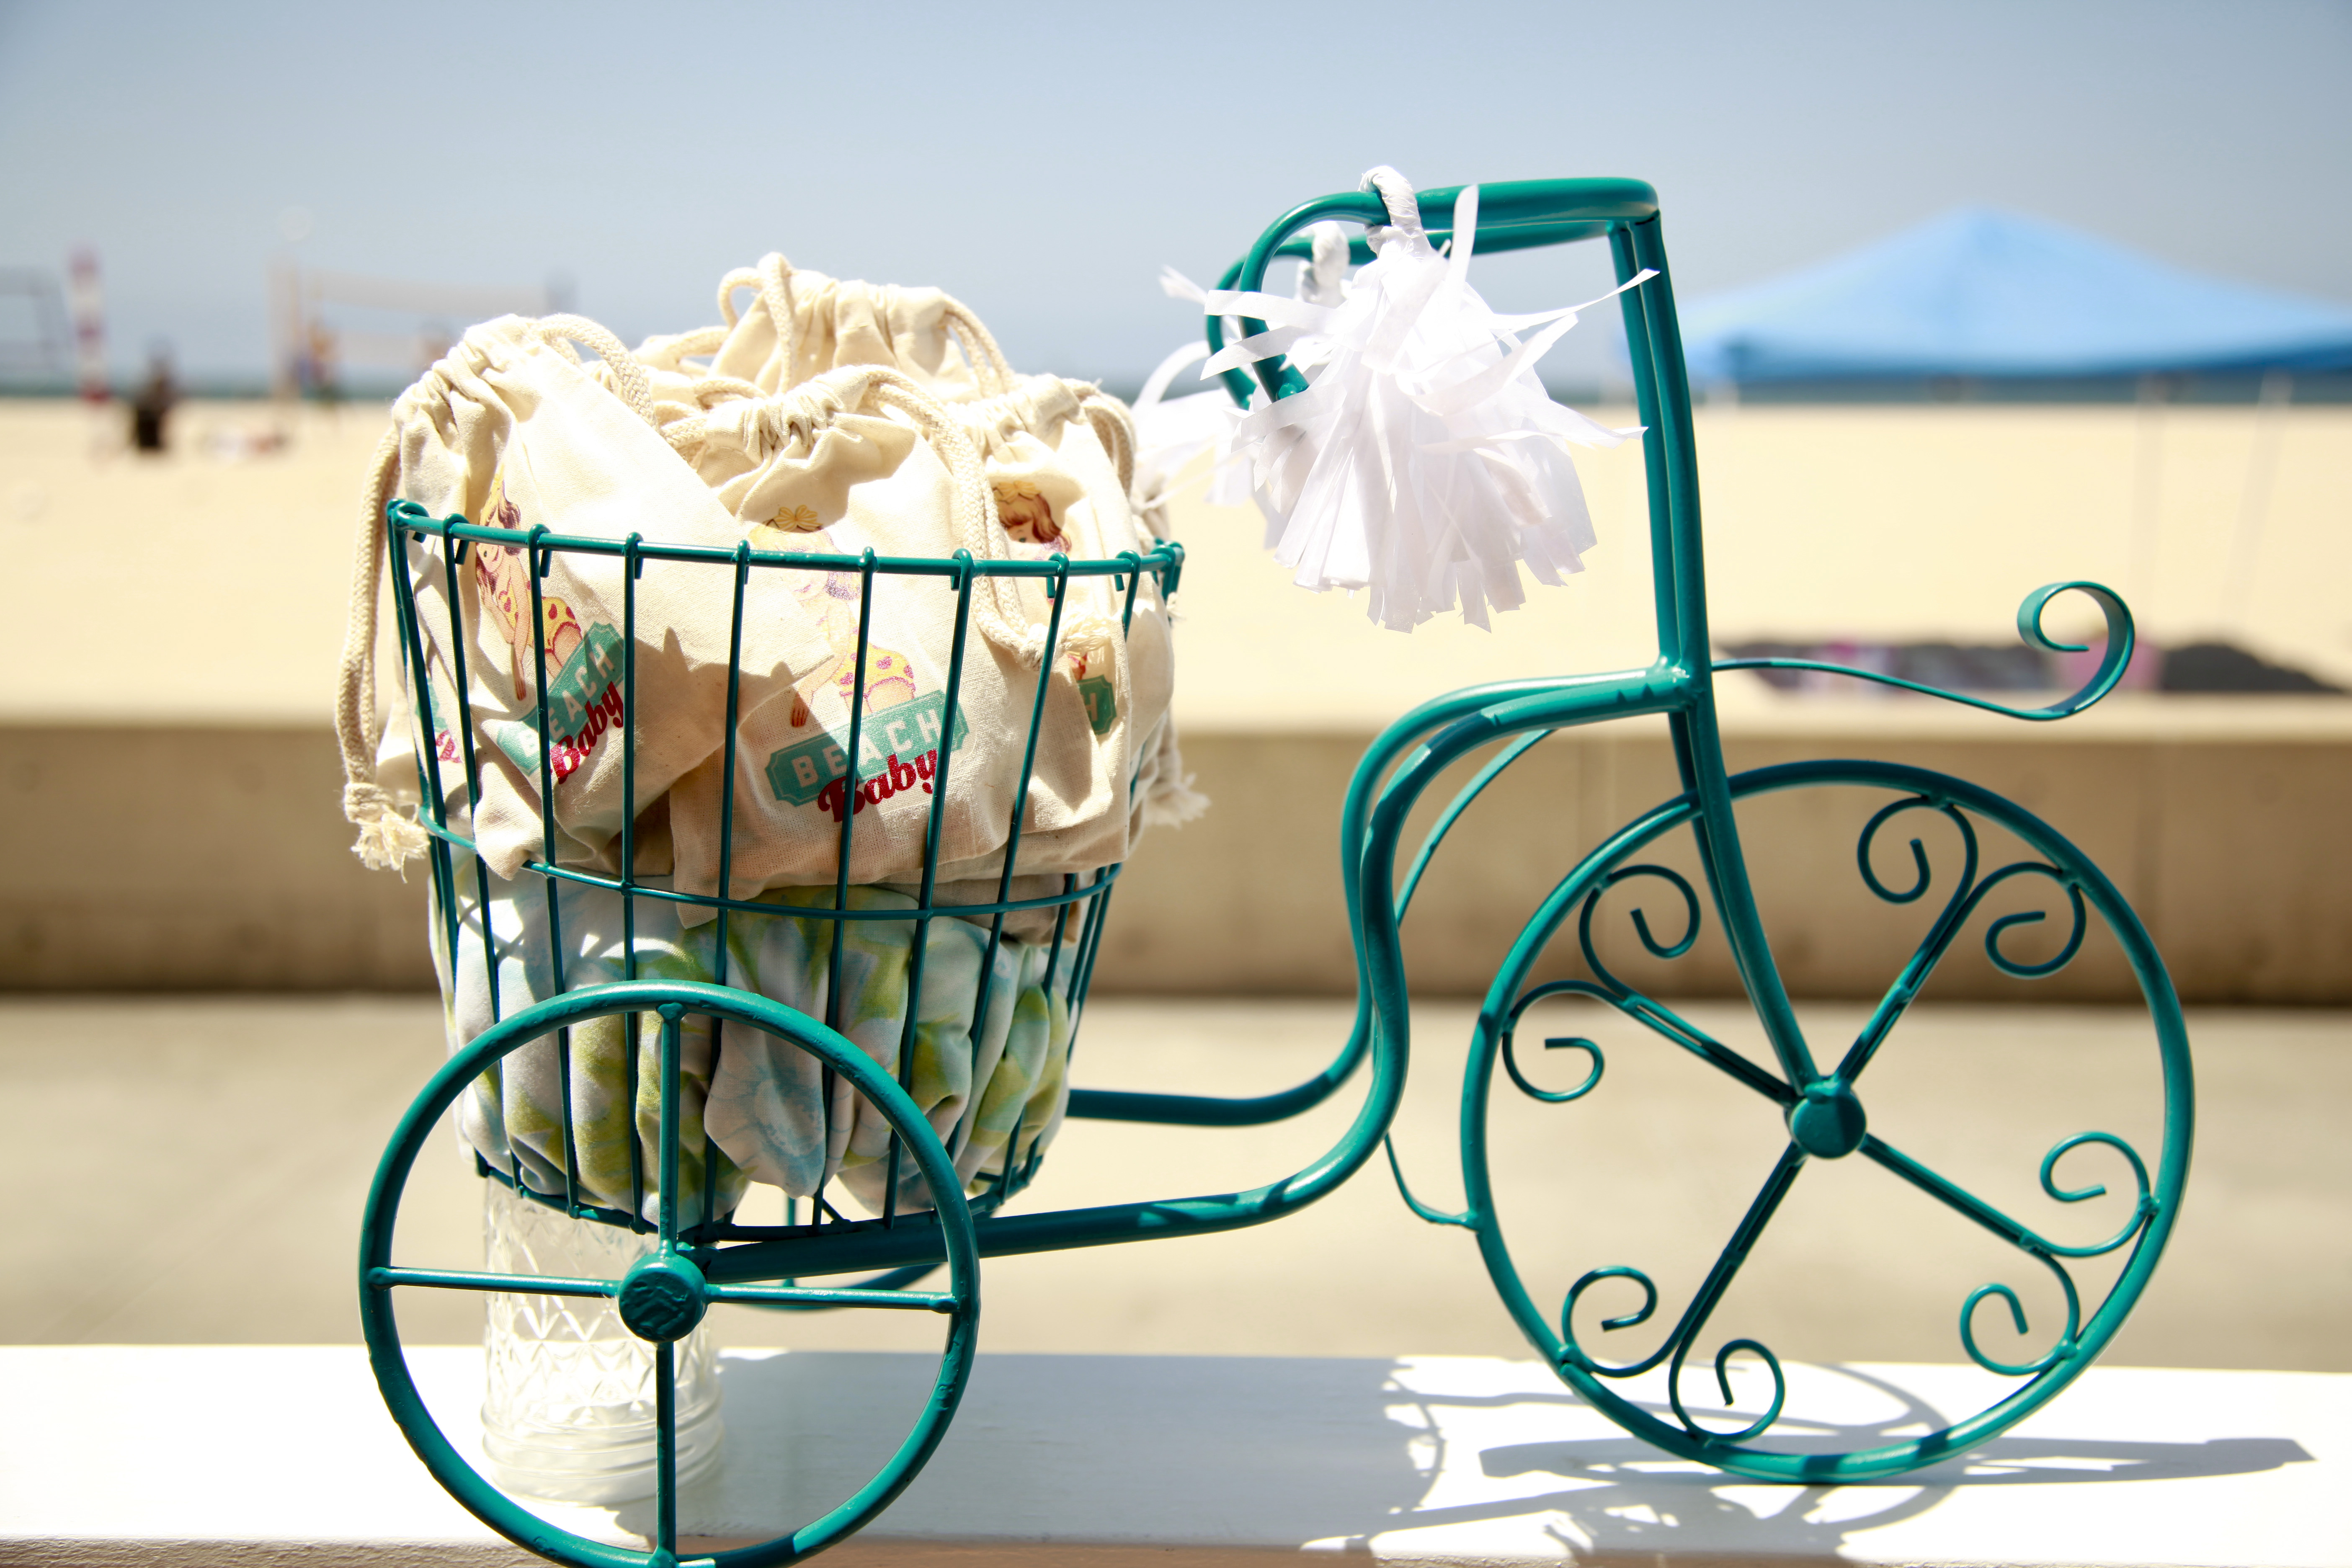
pixel 218 859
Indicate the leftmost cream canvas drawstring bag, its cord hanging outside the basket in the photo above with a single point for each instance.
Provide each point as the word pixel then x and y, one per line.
pixel 512 431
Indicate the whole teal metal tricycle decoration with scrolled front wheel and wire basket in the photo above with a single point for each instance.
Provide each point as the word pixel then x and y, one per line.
pixel 1819 1099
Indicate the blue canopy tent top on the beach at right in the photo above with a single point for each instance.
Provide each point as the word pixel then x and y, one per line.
pixel 1982 293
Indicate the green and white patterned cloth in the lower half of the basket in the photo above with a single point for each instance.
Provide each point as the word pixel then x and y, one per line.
pixel 766 1104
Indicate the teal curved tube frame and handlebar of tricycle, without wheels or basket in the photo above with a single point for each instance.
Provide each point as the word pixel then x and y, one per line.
pixel 1424 744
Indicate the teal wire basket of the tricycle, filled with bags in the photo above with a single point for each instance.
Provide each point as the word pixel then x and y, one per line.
pixel 1067 923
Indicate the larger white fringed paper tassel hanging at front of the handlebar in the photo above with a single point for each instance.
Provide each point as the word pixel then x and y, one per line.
pixel 1424 462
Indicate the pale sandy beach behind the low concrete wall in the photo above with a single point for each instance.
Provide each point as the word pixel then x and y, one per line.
pixel 225 575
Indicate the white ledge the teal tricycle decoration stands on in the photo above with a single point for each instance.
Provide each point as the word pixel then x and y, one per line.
pixel 255 1456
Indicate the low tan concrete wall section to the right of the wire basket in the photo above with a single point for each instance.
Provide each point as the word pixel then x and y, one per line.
pixel 2236 855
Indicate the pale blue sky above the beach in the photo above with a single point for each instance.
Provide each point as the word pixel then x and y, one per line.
pixel 1043 163
